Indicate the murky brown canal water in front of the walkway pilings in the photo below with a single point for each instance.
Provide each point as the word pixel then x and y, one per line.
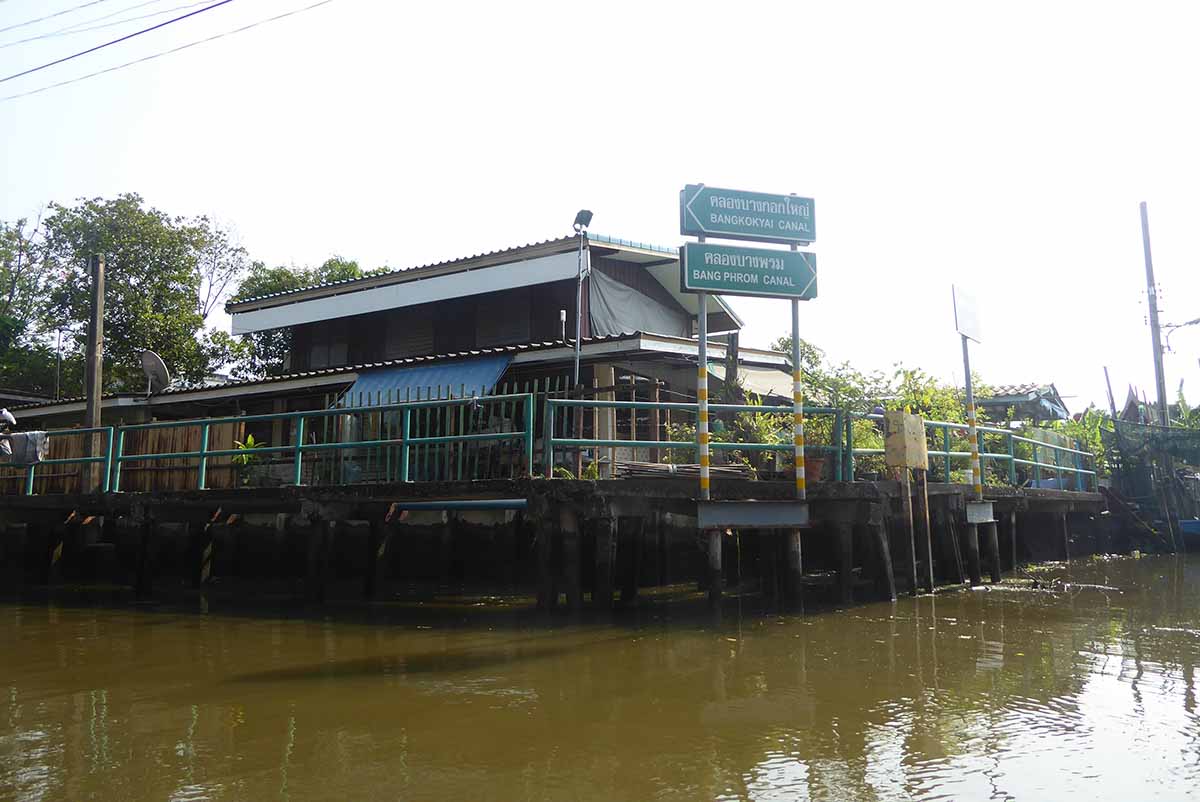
pixel 1082 687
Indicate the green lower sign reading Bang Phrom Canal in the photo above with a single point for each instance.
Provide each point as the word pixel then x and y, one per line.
pixel 760 272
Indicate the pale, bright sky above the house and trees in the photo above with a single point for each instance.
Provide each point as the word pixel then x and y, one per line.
pixel 1001 147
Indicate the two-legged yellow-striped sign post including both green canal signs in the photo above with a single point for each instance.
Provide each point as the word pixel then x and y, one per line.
pixel 760 273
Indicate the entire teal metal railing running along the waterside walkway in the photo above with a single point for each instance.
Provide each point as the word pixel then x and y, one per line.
pixel 433 440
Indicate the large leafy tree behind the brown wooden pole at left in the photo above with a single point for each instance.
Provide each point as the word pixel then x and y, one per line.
pixel 153 284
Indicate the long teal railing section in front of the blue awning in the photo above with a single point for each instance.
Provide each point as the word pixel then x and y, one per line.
pixel 395 422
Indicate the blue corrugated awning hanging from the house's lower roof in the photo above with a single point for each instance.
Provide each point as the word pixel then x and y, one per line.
pixel 460 379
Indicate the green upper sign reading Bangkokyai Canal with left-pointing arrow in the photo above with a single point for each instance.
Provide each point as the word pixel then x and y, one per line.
pixel 734 214
